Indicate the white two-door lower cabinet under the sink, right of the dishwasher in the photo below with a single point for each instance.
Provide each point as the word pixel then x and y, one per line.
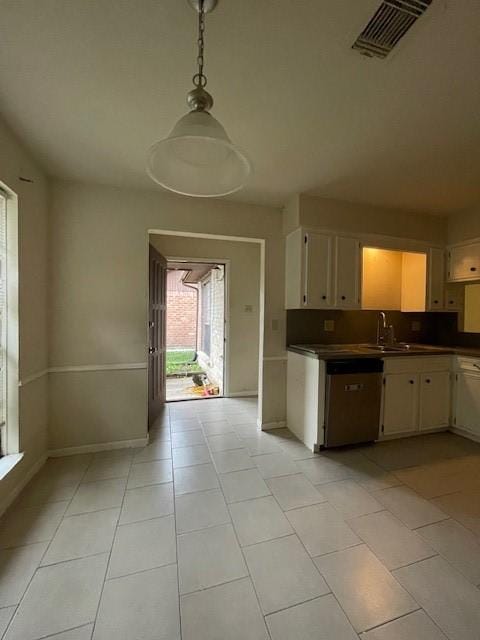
pixel 416 395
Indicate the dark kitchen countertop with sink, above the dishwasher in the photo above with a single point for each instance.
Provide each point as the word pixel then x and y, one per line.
pixel 341 351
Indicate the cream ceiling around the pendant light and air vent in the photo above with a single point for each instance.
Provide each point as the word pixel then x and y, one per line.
pixel 89 85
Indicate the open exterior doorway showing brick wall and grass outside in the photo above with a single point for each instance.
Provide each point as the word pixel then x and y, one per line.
pixel 195 329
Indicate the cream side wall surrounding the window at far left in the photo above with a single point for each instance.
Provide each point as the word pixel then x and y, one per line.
pixel 32 212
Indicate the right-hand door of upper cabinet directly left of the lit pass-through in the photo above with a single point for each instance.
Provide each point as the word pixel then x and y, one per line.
pixel 347 273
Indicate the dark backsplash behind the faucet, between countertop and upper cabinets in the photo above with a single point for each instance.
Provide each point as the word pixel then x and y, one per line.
pixel 308 326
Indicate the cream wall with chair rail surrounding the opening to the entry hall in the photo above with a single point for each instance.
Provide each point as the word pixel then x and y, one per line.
pixel 98 302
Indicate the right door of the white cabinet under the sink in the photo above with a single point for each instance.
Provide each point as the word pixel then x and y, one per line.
pixel 434 400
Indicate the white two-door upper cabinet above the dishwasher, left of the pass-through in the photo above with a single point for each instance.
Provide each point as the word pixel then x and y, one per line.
pixel 322 271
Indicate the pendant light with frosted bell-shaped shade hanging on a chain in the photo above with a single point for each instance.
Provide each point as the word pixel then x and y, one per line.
pixel 198 158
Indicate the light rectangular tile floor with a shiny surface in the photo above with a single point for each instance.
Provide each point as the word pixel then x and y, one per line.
pixel 216 531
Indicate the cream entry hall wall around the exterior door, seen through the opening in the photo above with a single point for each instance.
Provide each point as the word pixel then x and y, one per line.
pixel 244 290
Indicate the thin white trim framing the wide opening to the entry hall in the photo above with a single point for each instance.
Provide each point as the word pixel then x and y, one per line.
pixel 261 332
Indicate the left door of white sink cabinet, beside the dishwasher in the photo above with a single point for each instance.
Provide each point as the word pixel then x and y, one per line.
pixel 400 403
